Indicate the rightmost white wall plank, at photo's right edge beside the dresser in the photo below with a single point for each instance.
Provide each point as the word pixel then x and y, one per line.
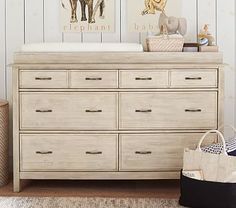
pixel 226 41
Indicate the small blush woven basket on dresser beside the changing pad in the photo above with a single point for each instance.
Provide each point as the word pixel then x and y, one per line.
pixel 165 43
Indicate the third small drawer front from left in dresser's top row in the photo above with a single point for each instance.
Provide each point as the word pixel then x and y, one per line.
pixel 143 79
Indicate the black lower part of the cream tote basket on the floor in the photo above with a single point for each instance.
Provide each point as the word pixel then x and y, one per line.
pixel 204 194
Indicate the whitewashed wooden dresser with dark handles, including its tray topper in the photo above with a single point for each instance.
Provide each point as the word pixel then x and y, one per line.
pixel 111 115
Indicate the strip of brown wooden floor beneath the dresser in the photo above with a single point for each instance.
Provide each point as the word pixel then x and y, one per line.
pixel 151 189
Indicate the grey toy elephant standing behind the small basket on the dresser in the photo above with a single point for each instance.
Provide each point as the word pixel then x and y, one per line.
pixel 174 25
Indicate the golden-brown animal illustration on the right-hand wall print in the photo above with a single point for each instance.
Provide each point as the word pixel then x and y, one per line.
pixel 151 6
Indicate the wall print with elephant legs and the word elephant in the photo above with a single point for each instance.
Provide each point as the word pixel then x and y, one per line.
pixel 87 15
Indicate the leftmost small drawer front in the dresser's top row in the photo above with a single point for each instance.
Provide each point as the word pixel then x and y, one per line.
pixel 43 79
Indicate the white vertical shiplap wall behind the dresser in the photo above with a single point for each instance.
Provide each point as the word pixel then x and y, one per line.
pixel 28 21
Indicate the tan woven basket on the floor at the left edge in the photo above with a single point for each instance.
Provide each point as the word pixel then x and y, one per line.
pixel 4 172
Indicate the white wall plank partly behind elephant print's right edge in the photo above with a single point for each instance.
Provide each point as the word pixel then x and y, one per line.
pixel 114 36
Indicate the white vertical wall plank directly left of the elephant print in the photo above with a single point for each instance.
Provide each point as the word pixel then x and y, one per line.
pixel 52 28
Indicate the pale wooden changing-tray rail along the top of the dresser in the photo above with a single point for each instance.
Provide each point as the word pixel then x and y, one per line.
pixel 118 58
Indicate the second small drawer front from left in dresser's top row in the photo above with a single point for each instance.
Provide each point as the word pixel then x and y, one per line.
pixel 94 79
